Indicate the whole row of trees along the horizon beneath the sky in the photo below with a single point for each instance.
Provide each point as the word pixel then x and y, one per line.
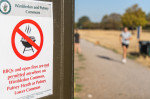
pixel 134 16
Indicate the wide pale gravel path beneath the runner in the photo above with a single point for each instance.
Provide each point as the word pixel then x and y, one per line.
pixel 105 77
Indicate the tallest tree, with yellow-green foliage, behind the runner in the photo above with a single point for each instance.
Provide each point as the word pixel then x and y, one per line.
pixel 133 17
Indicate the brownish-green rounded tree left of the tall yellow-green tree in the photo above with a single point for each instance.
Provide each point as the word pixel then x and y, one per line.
pixel 112 21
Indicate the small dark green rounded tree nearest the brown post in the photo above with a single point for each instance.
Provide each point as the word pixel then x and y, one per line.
pixel 83 21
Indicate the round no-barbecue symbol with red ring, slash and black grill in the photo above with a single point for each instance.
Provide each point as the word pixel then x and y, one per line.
pixel 27 41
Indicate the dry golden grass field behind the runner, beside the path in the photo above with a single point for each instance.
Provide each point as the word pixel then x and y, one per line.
pixel 110 39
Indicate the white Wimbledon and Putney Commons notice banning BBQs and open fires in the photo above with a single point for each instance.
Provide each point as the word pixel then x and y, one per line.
pixel 26 51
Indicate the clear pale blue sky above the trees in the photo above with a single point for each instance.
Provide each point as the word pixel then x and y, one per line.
pixel 96 9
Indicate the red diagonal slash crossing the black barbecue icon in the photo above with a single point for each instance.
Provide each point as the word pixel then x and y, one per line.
pixel 28 39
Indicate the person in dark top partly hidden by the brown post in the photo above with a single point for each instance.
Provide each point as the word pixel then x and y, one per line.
pixel 77 42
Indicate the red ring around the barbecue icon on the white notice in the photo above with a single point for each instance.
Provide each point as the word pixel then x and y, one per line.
pixel 16 29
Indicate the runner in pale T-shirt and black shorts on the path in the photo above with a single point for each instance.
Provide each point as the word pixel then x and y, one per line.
pixel 125 38
